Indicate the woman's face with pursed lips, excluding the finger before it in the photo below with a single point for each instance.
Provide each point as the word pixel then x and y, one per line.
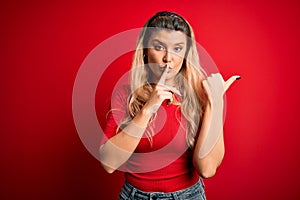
pixel 166 47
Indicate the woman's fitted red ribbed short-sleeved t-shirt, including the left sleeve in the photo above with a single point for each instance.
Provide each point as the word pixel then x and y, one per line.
pixel 164 166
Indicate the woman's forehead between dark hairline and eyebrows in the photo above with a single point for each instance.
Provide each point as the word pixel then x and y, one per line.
pixel 169 37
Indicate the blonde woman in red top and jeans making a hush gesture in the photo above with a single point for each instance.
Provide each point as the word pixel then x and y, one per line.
pixel 165 129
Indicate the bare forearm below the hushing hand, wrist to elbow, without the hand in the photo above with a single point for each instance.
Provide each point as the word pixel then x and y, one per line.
pixel 118 149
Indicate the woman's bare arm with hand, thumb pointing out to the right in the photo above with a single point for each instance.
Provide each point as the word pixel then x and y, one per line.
pixel 209 150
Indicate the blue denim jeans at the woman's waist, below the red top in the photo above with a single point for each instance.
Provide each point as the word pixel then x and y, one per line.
pixel 195 192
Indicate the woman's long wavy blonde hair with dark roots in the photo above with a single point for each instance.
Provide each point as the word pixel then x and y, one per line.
pixel 189 79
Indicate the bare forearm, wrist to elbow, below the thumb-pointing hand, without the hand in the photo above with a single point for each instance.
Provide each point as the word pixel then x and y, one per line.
pixel 209 149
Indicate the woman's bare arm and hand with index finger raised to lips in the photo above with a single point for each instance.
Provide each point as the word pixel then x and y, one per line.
pixel 118 149
